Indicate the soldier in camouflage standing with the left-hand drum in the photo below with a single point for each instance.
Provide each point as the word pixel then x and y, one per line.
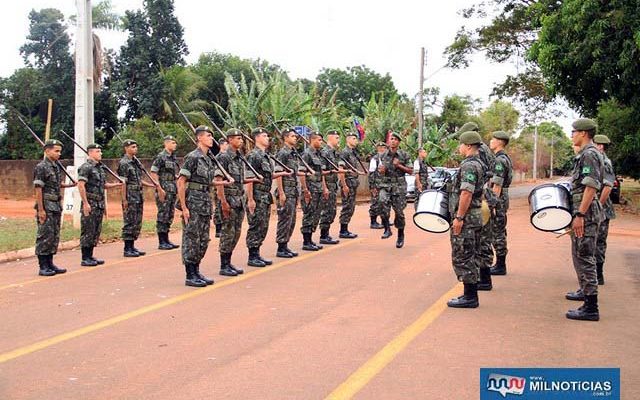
pixel 465 199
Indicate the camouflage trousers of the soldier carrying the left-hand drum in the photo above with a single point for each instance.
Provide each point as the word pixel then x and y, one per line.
pixel 464 253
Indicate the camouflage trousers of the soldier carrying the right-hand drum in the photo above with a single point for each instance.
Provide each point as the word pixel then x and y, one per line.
pixel 583 253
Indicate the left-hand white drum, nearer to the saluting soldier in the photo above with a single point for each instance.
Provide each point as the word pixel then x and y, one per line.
pixel 432 211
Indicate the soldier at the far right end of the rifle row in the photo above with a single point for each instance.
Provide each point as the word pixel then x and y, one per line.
pixel 350 184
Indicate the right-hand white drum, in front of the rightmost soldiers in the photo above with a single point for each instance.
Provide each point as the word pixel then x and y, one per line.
pixel 550 207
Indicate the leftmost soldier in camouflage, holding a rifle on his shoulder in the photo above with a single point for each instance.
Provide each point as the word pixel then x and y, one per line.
pixel 47 181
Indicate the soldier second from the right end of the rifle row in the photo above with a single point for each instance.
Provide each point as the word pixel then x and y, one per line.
pixel 329 197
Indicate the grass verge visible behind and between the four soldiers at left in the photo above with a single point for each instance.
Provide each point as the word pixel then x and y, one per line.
pixel 20 233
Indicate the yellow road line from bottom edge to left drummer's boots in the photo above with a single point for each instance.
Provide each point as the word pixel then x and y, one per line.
pixel 375 364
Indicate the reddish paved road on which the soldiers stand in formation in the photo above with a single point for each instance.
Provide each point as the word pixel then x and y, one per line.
pixel 360 319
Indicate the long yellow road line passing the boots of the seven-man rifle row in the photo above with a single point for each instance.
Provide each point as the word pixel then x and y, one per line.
pixel 22 351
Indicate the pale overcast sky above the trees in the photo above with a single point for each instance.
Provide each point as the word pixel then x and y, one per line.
pixel 305 36
